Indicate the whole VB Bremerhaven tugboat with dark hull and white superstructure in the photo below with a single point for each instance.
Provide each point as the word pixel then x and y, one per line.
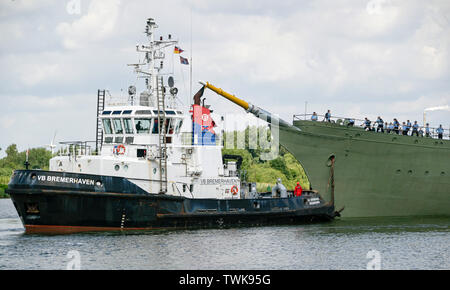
pixel 153 166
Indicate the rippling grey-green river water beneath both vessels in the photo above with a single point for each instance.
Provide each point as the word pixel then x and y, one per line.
pixel 380 243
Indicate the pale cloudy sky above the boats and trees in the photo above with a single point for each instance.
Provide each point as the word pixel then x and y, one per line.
pixel 358 58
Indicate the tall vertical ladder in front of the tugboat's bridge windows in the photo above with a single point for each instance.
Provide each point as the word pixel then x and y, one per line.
pixel 160 99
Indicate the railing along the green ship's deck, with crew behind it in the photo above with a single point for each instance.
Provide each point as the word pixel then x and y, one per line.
pixel 344 121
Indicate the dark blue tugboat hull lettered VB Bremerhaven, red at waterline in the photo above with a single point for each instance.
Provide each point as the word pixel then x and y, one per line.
pixel 57 202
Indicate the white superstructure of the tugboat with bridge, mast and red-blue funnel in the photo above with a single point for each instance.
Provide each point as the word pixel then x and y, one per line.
pixel 152 142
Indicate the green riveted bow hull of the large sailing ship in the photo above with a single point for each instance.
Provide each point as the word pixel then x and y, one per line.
pixel 376 174
